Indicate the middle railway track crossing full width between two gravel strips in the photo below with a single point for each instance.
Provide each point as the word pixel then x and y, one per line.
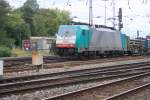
pixel 66 78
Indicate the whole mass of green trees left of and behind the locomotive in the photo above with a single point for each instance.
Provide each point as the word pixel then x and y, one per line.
pixel 28 20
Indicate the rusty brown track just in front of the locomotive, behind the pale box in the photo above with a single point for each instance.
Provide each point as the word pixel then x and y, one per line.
pixel 59 62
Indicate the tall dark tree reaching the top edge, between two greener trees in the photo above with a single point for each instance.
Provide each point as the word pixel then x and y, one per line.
pixel 30 8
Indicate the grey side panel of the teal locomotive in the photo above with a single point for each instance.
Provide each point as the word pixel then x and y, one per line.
pixel 105 40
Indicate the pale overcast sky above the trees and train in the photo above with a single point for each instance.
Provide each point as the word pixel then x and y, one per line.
pixel 136 14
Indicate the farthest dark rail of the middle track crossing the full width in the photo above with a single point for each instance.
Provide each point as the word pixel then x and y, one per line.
pixel 88 70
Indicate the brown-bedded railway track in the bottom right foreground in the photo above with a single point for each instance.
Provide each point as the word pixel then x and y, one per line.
pixel 109 91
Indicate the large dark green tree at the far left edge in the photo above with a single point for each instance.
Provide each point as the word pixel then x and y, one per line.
pixel 12 25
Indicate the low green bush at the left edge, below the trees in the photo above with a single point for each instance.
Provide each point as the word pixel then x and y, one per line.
pixel 5 51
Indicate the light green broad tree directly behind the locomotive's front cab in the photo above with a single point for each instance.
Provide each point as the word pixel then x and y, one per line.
pixel 47 21
